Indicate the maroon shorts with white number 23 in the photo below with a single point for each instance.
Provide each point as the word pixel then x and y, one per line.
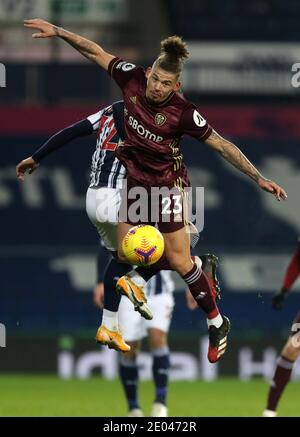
pixel 168 208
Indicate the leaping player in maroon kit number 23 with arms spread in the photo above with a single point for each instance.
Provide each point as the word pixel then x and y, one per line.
pixel 156 117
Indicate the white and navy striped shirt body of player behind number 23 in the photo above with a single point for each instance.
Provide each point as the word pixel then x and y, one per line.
pixel 106 169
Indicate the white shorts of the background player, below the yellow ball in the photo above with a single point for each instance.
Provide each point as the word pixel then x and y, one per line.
pixel 134 327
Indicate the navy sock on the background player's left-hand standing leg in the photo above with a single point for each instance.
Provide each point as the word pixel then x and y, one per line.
pixel 129 377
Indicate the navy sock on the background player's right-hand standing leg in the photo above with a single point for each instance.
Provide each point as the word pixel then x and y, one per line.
pixel 160 369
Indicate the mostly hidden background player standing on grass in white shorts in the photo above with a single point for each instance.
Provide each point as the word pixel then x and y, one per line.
pixel 134 328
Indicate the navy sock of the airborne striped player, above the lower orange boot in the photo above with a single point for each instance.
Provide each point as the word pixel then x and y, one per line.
pixel 113 272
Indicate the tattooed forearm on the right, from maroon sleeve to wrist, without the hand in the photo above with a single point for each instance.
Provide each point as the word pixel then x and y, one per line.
pixel 233 155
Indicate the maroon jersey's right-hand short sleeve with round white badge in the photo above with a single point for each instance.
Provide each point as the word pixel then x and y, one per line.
pixel 192 123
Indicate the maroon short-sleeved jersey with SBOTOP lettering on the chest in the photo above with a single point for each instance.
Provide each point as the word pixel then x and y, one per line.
pixel 151 152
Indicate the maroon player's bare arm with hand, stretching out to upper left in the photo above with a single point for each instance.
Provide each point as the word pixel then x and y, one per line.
pixel 87 48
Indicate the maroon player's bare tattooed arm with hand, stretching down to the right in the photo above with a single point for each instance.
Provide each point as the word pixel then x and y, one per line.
pixel 233 155
